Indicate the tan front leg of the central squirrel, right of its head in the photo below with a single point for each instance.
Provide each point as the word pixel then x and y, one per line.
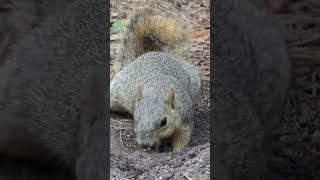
pixel 182 136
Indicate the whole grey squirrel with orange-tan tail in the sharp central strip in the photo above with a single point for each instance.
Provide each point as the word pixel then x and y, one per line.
pixel 160 91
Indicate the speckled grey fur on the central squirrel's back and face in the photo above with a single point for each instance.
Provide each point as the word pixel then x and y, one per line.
pixel 157 72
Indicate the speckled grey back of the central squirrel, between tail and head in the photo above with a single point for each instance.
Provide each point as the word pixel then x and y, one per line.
pixel 125 83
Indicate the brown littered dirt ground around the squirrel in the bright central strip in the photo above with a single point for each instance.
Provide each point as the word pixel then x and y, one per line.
pixel 128 161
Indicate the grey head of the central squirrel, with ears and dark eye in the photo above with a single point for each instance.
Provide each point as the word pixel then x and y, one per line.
pixel 156 116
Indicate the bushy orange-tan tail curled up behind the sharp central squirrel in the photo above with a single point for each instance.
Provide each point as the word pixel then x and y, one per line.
pixel 147 31
